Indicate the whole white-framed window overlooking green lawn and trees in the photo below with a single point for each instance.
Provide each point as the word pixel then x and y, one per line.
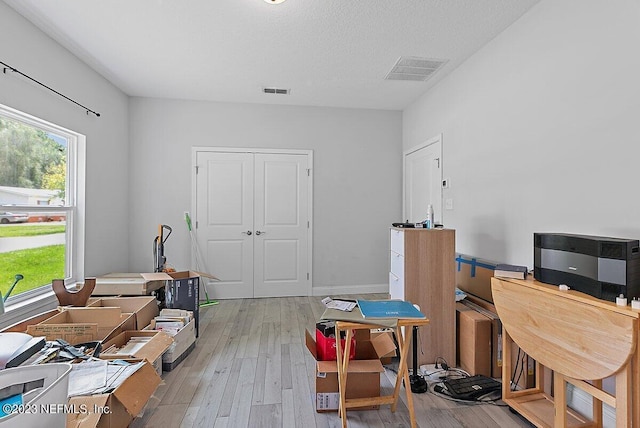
pixel 41 204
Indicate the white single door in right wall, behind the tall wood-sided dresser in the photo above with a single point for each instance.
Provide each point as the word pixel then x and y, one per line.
pixel 423 181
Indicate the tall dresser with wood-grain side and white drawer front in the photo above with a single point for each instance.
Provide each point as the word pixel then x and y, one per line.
pixel 422 271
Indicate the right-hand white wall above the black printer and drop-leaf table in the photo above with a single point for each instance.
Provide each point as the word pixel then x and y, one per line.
pixel 540 130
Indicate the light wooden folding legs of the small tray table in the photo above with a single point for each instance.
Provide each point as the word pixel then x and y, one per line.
pixel 403 334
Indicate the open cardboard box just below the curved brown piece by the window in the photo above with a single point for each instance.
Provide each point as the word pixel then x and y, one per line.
pixel 78 325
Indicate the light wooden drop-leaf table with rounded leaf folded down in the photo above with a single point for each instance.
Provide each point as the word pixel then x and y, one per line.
pixel 578 337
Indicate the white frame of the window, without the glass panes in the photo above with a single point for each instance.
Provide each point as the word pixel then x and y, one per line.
pixel 74 204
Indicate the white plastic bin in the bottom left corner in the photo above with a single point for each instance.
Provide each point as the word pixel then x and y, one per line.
pixel 37 395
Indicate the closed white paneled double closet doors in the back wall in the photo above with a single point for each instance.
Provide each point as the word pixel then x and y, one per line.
pixel 253 227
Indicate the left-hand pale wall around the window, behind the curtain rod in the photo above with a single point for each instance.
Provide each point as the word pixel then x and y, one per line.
pixel 27 49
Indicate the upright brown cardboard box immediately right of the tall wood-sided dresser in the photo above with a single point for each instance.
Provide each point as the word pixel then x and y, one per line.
pixel 474 341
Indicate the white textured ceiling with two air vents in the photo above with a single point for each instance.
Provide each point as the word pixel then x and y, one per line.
pixel 327 52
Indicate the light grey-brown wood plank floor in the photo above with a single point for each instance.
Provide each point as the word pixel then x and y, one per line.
pixel 251 368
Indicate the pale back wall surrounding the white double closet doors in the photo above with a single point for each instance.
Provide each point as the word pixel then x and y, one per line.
pixel 357 179
